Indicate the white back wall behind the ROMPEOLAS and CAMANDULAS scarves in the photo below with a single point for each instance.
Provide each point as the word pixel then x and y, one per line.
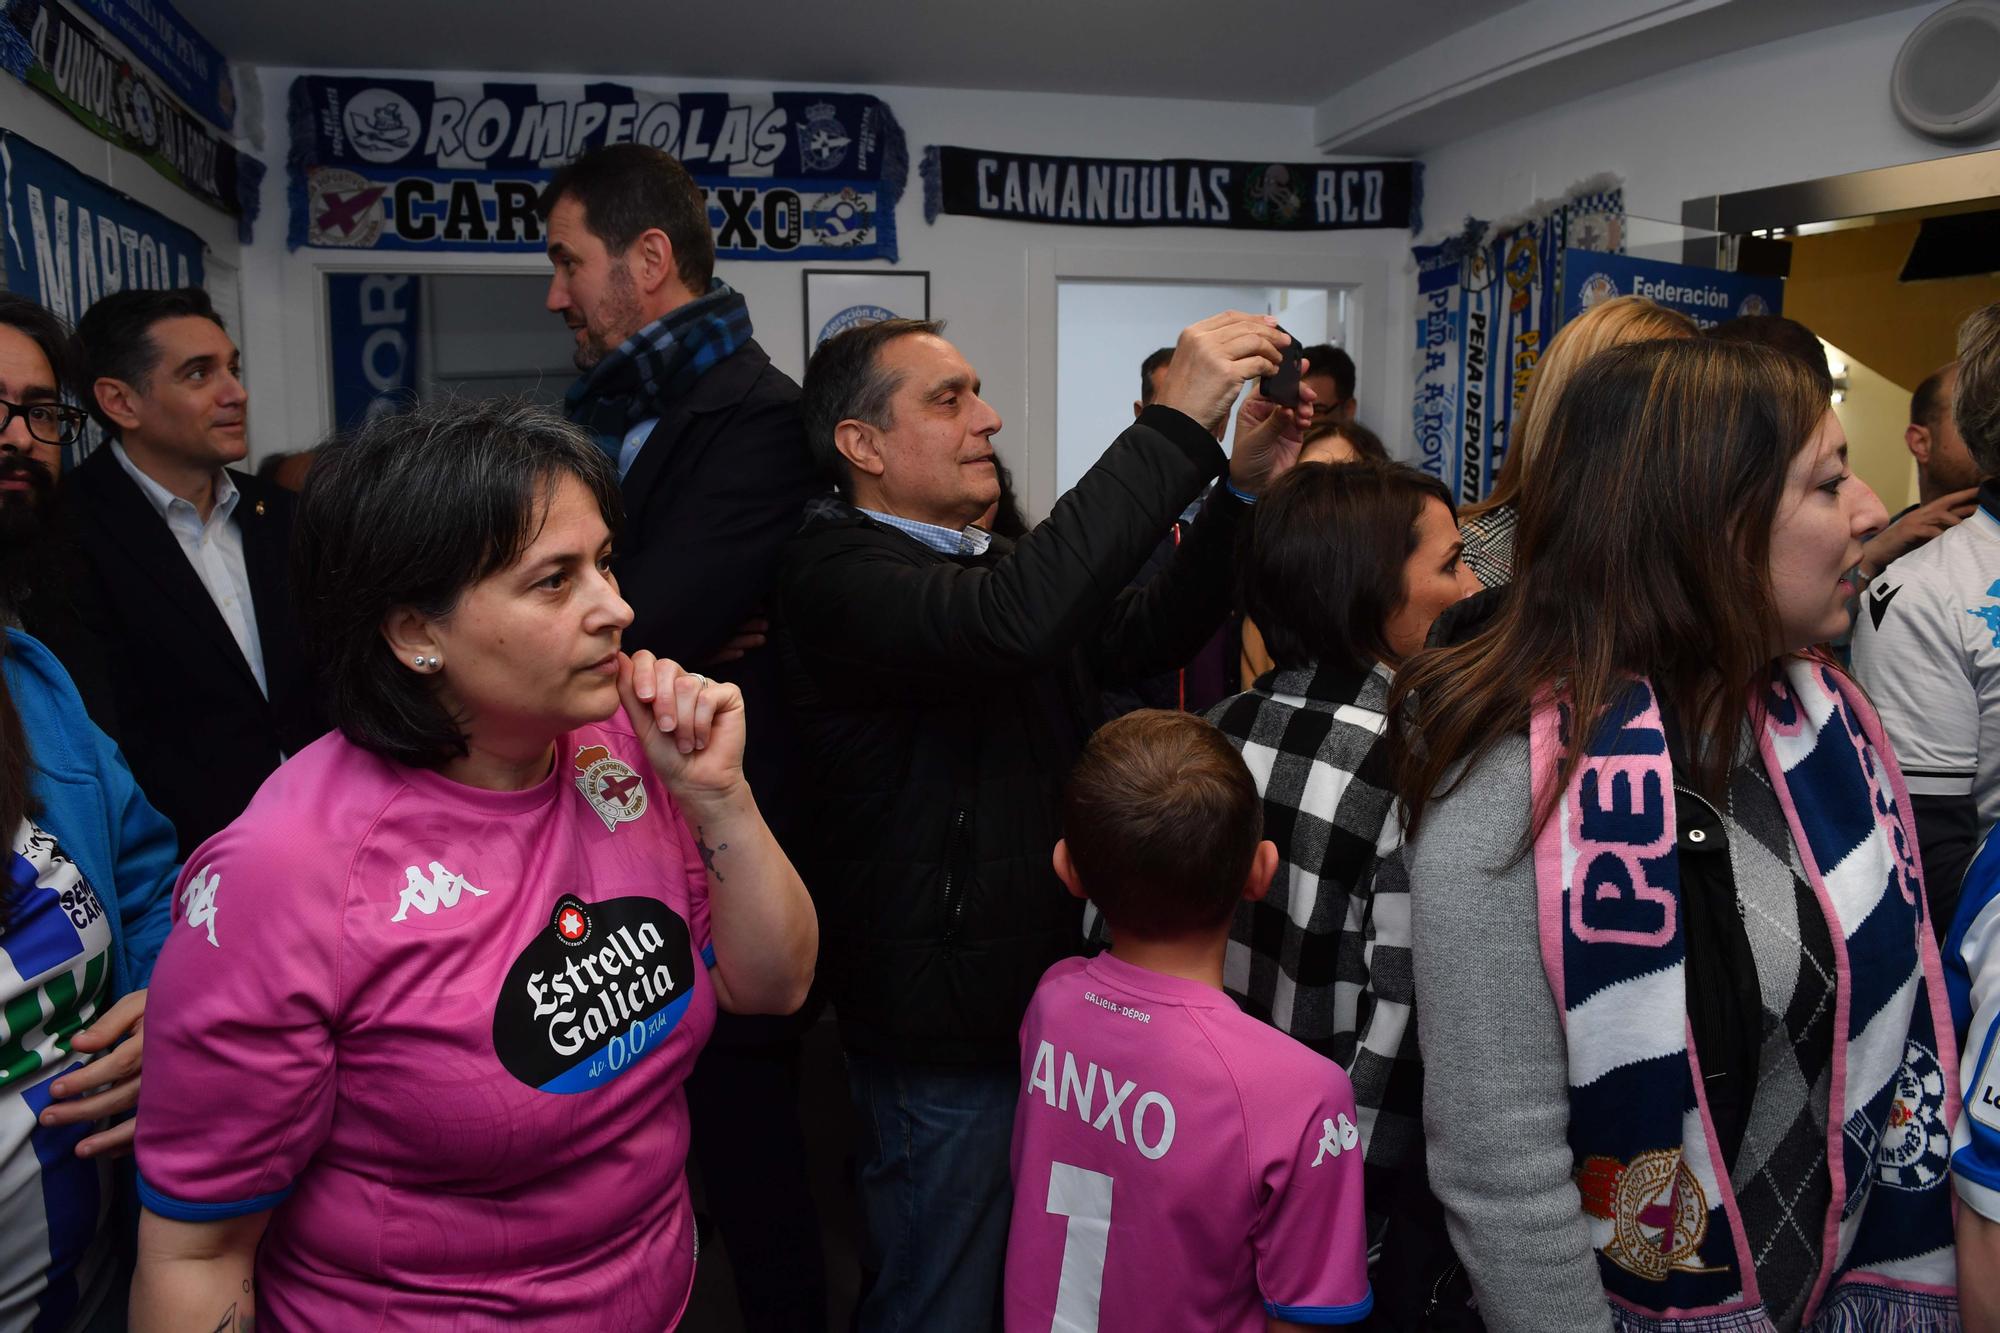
pixel 993 281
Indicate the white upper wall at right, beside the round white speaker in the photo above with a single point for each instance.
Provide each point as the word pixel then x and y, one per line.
pixel 1791 111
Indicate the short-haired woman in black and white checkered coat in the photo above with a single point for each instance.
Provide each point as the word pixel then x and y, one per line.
pixel 1345 571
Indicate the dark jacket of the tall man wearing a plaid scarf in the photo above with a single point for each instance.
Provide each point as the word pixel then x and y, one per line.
pixel 711 499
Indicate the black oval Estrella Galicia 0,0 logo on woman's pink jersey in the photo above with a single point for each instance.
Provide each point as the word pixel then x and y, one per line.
pixel 593 994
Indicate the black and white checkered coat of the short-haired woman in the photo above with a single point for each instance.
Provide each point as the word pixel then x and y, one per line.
pixel 1327 954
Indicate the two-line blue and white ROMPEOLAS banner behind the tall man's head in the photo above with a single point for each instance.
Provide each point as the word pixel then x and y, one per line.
pixel 411 165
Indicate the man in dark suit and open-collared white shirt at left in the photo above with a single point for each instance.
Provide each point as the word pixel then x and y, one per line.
pixel 187 563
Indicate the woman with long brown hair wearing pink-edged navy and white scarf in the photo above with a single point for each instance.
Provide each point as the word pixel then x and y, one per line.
pixel 1685 1038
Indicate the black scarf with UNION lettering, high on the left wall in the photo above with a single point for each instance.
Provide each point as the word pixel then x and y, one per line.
pixel 91 75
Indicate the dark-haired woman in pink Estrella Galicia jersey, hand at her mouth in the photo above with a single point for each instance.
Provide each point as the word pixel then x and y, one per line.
pixel 419 1034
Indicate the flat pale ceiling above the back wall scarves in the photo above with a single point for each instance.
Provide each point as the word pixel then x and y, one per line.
pixel 1277 51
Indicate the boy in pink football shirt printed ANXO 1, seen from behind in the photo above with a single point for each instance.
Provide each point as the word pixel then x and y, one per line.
pixel 1177 1164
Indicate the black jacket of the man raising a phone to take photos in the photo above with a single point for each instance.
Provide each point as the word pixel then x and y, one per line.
pixel 941 704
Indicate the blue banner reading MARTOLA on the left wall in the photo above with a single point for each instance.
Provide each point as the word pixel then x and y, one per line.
pixel 71 241
